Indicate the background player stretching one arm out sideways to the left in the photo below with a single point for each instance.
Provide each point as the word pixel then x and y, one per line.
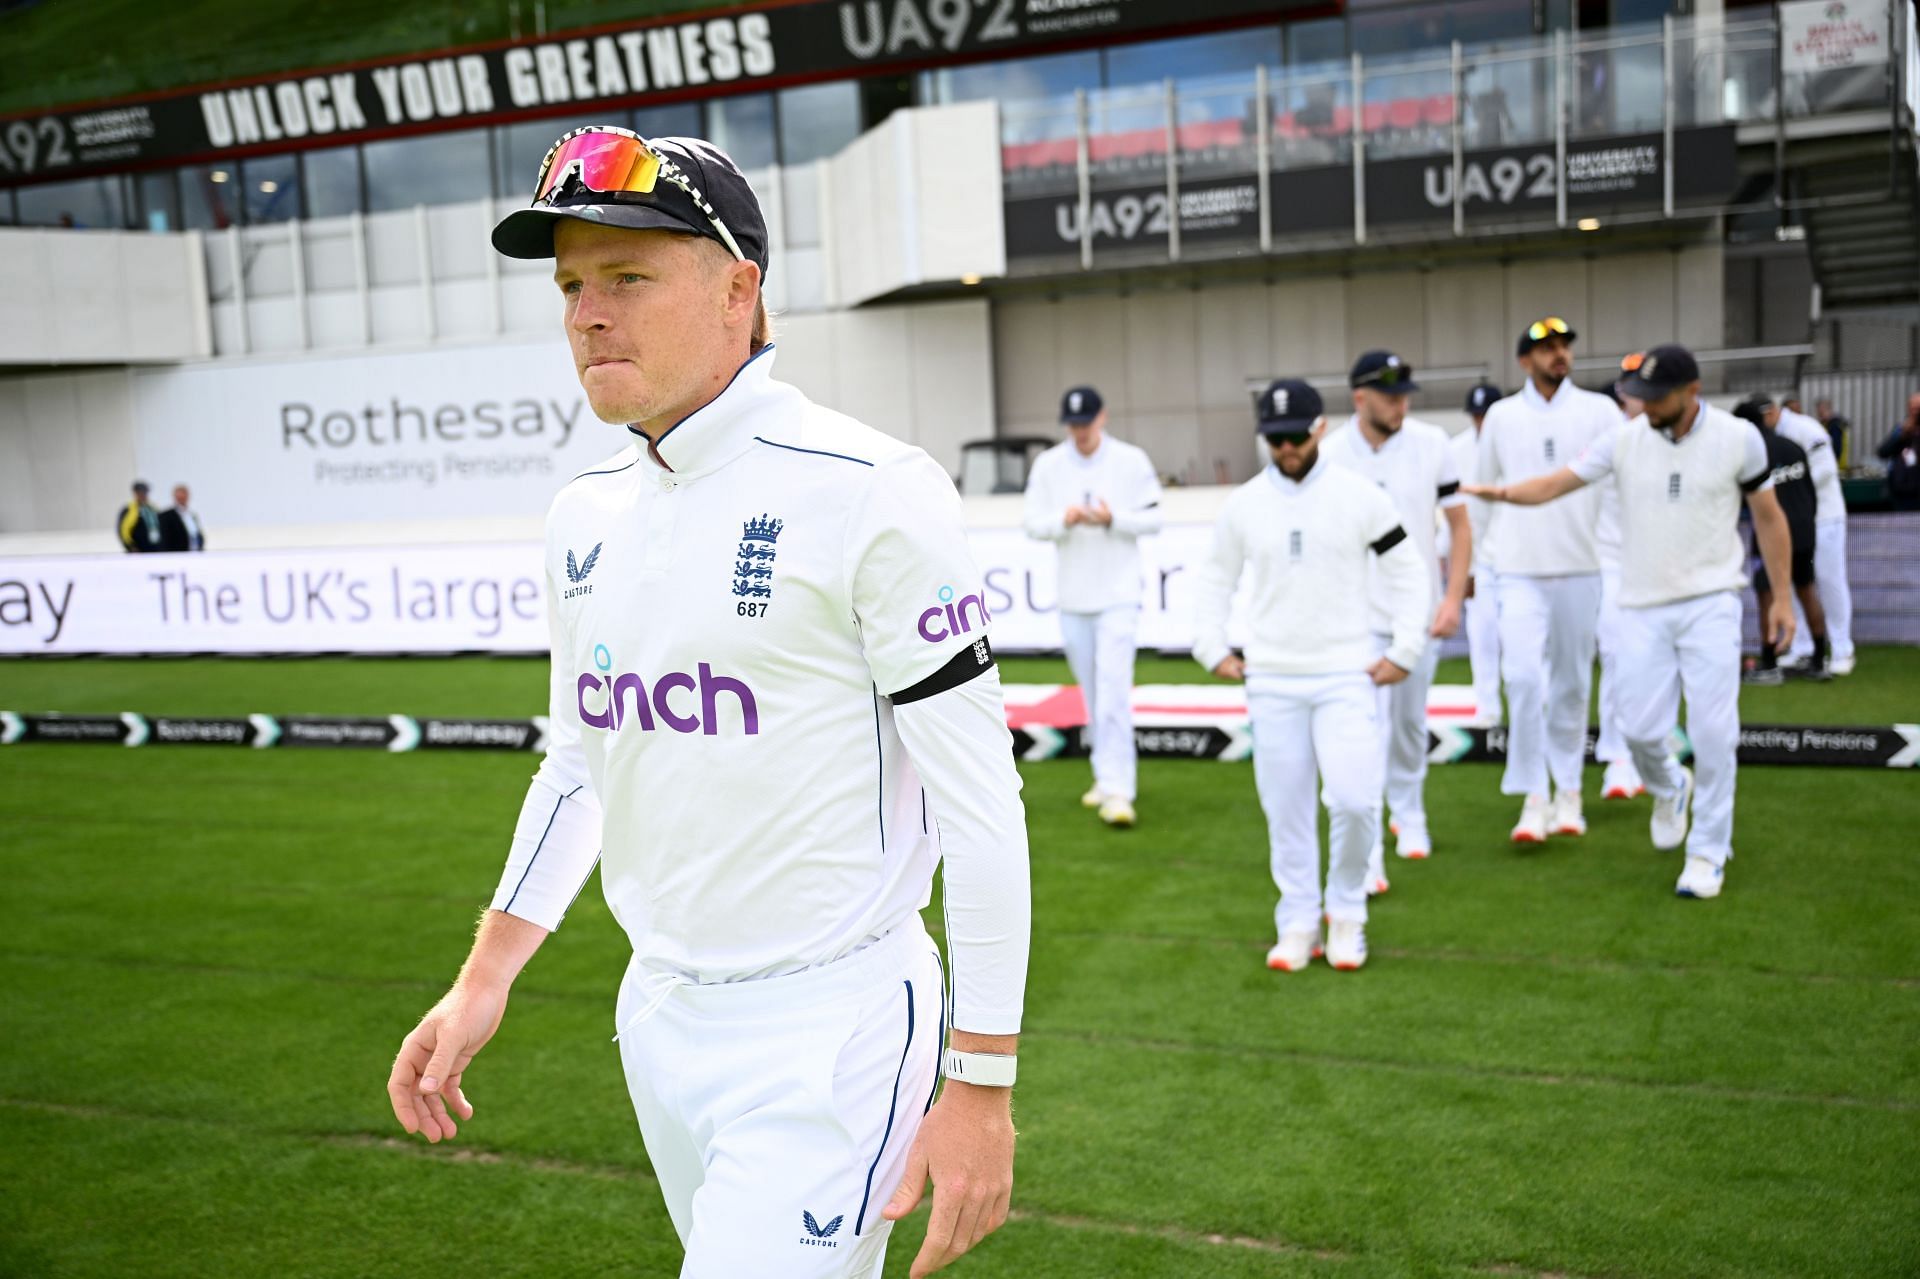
pixel 1681 471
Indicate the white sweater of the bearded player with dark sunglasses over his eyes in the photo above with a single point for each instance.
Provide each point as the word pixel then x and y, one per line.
pixel 1307 552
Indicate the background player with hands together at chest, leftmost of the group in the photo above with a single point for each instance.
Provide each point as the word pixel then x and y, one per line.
pixel 1095 498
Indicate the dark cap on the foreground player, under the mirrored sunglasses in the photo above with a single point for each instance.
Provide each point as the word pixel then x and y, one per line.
pixel 698 187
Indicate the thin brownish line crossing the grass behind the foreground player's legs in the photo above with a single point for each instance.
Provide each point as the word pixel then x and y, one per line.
pixel 613 1172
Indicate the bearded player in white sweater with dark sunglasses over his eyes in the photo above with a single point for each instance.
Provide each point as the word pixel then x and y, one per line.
pixel 1305 535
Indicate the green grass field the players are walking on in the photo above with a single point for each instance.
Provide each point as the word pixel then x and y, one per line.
pixel 1552 1067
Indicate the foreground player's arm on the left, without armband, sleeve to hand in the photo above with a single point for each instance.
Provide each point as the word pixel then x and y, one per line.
pixel 556 846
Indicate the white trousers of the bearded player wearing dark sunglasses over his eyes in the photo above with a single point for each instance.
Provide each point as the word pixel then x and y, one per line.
pixel 1318 735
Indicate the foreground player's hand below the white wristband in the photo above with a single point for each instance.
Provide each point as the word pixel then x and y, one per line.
pixel 967 1146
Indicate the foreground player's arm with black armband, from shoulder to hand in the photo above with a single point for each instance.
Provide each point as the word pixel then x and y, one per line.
pixel 907 543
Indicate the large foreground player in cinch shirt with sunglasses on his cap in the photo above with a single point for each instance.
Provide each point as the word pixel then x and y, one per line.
pixel 767 744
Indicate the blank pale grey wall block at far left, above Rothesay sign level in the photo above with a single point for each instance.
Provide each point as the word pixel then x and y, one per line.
pixel 101 297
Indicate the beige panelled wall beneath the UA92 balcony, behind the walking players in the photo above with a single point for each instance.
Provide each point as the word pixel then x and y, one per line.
pixel 1176 364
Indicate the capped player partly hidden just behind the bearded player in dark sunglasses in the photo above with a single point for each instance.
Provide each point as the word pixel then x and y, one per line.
pixel 1412 464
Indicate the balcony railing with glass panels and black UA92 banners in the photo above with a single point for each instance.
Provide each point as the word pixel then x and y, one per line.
pixel 1552 133
